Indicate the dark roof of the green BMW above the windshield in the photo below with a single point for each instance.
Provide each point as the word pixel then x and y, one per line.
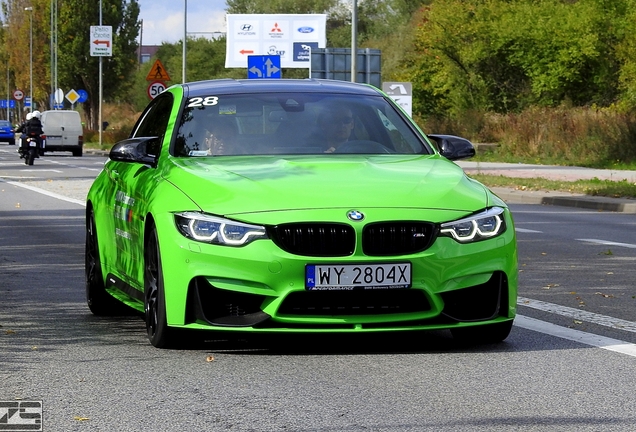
pixel 233 86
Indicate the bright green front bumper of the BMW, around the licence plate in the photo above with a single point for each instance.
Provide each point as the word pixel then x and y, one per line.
pixel 260 288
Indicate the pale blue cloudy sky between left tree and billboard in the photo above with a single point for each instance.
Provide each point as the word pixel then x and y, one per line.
pixel 163 19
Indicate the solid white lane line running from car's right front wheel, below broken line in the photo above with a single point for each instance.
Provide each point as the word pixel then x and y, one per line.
pixel 606 343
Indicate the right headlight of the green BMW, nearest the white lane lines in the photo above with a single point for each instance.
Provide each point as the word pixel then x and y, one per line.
pixel 480 226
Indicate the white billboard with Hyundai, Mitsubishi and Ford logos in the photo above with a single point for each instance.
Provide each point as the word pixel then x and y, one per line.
pixel 290 36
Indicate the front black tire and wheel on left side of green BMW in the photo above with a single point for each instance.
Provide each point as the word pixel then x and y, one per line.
pixel 159 334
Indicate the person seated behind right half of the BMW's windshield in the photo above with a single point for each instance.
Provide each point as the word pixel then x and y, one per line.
pixel 335 124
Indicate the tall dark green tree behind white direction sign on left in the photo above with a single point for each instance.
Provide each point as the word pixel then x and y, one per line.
pixel 78 69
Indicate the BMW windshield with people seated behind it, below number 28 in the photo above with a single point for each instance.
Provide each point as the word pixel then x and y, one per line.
pixel 294 124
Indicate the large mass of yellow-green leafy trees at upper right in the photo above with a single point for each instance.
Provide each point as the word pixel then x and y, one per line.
pixel 504 56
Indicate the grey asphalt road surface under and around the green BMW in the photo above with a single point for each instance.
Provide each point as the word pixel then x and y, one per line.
pixel 96 374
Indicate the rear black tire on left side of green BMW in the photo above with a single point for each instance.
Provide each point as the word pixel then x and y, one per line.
pixel 99 301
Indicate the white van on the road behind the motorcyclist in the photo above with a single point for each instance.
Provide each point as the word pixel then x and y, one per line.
pixel 63 131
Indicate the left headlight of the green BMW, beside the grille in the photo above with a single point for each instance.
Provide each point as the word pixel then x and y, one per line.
pixel 216 230
